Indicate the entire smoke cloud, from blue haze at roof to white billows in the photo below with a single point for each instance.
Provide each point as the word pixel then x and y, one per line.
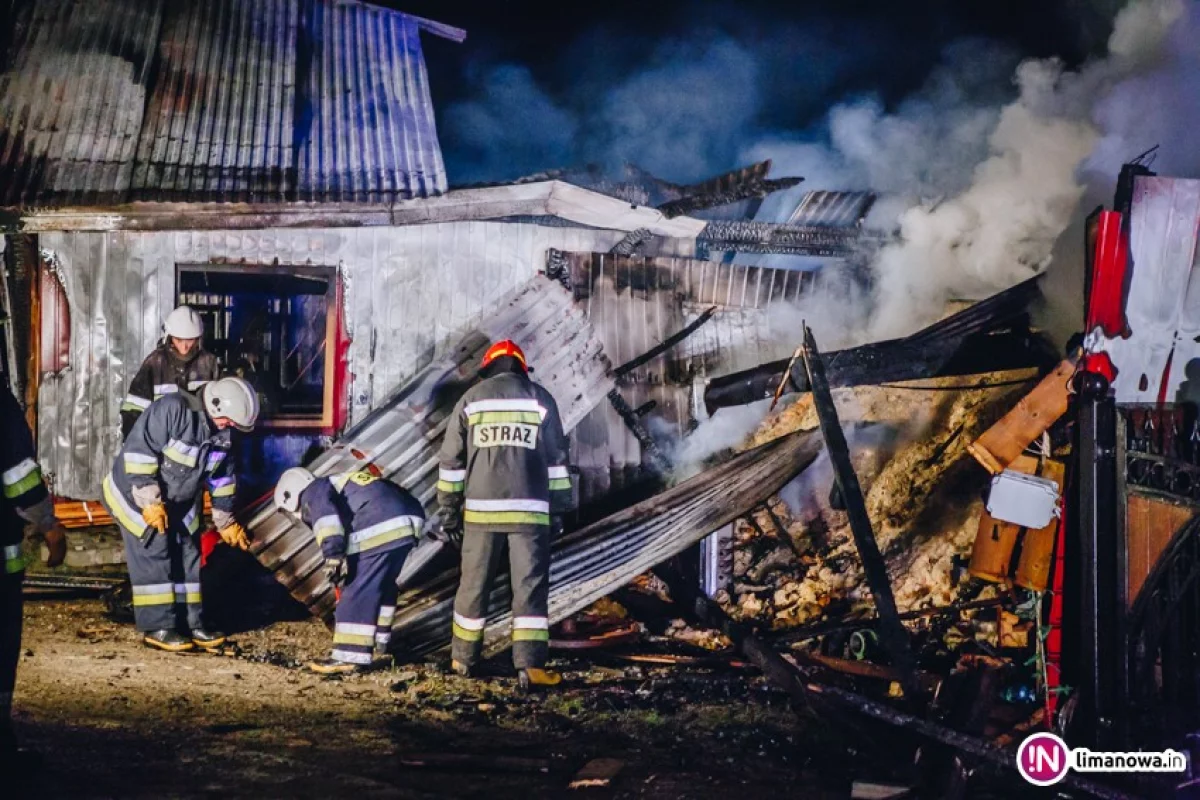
pixel 985 173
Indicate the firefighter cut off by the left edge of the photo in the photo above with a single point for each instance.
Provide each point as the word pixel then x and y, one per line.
pixel 25 501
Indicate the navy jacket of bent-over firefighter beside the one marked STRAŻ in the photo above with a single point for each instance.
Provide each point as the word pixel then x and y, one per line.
pixel 357 513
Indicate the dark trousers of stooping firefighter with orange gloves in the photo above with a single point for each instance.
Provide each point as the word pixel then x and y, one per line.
pixel 165 570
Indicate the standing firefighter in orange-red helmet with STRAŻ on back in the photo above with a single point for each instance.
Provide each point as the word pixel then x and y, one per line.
pixel 503 473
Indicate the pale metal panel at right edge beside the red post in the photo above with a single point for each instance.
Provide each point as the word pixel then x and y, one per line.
pixel 1163 305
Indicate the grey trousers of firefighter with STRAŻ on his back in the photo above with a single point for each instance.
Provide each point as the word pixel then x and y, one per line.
pixel 530 576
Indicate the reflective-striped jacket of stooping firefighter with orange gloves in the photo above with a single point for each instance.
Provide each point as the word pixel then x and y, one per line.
pixel 171 455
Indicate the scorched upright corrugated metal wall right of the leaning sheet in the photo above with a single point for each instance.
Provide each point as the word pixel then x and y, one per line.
pixel 638 303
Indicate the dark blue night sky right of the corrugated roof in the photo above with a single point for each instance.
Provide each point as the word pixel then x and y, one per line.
pixel 687 88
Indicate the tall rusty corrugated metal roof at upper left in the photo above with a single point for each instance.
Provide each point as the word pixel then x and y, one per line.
pixel 112 101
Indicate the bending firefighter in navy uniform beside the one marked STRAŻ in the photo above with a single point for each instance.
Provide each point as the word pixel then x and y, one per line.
pixel 365 527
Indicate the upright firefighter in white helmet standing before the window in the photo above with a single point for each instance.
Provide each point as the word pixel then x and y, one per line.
pixel 179 365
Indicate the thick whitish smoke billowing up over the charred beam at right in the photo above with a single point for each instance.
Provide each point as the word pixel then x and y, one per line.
pixel 983 194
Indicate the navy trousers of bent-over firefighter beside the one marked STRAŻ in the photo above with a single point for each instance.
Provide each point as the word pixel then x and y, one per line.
pixel 365 611
